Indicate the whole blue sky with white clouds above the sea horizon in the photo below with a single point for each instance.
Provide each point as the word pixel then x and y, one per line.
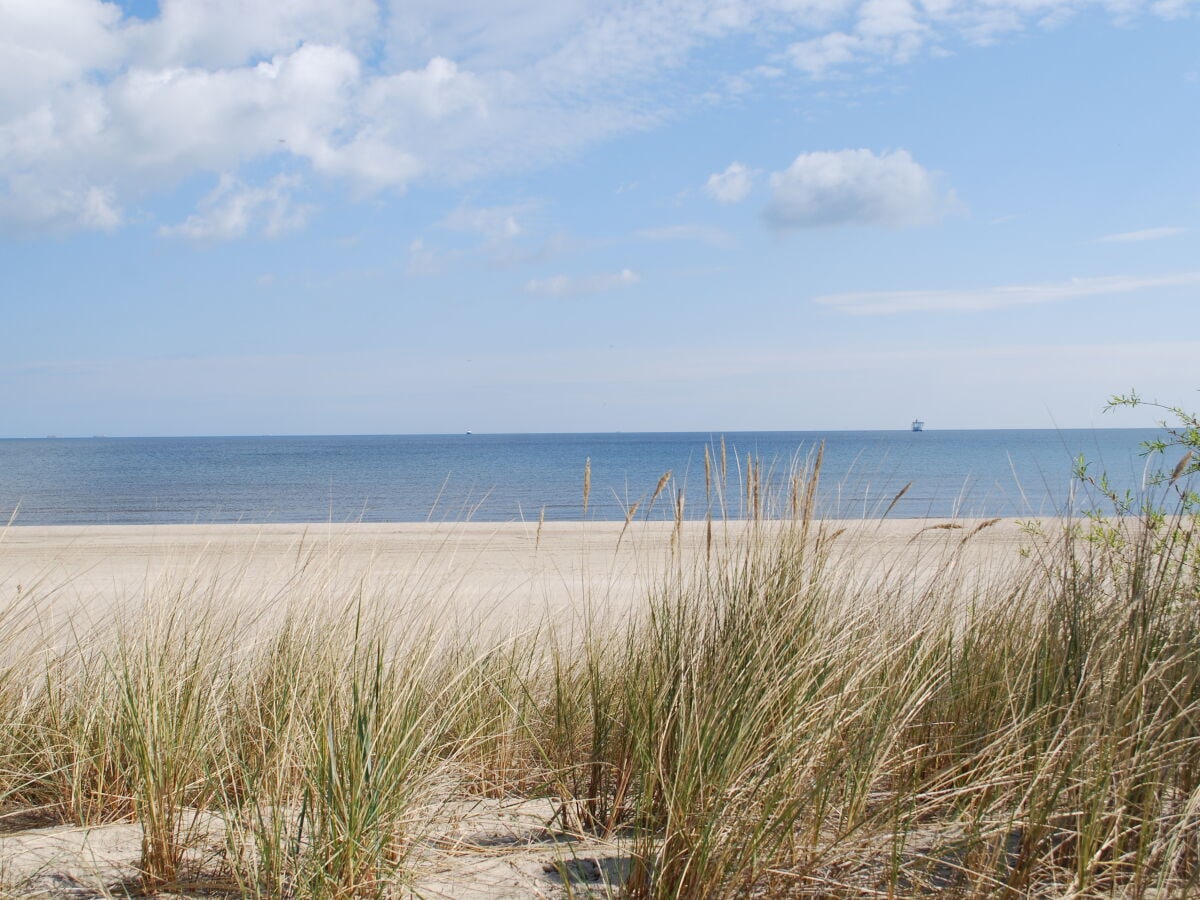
pixel 377 217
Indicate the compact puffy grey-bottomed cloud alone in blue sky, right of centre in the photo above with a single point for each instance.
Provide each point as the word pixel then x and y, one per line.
pixel 854 188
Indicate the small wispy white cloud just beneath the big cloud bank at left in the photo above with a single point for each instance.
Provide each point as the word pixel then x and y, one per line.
pixel 235 211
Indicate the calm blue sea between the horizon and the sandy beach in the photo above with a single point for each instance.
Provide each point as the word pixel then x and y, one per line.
pixel 515 477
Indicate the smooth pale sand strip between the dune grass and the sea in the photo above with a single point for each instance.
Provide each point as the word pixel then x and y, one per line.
pixel 503 574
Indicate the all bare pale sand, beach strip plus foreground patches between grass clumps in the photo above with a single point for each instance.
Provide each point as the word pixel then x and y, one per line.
pixel 501 577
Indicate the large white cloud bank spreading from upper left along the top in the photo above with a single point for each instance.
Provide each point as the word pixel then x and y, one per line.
pixel 101 112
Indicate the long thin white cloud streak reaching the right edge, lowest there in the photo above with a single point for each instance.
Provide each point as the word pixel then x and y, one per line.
pixel 887 303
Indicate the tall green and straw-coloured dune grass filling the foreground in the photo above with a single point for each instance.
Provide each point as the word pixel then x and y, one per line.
pixel 769 722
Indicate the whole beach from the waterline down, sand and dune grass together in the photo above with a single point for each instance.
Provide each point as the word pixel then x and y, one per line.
pixel 245 710
